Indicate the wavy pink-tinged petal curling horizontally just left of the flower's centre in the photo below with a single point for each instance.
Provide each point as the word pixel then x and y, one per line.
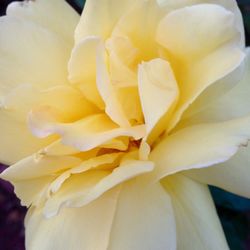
pixel 84 134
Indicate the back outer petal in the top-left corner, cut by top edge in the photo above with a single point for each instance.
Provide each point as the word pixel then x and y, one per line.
pixel 39 12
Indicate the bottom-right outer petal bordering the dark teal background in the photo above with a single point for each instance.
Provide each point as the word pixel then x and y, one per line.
pixel 198 226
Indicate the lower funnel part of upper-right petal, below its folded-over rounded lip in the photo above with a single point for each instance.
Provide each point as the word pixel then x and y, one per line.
pixel 203 74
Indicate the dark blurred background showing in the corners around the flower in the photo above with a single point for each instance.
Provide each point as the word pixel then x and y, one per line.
pixel 234 211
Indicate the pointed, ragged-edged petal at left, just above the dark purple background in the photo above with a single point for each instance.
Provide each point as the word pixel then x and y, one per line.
pixel 32 176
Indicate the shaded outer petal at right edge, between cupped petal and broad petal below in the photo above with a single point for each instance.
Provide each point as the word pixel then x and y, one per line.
pixel 232 104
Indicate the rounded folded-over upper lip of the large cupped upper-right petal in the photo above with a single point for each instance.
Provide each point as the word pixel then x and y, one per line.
pixel 176 30
